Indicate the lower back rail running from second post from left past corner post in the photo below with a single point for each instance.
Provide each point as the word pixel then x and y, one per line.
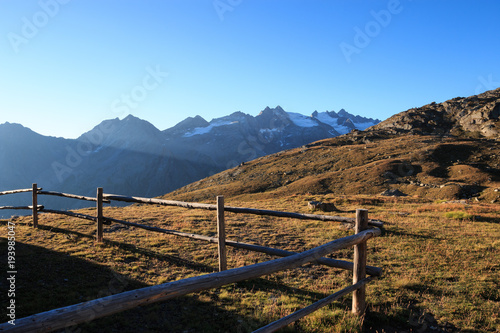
pixel 371 270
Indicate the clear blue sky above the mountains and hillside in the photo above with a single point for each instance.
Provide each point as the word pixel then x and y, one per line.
pixel 67 65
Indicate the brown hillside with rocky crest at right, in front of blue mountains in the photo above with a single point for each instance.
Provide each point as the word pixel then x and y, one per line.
pixel 440 151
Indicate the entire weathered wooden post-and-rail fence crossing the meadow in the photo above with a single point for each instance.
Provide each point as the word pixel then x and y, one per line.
pixel 79 313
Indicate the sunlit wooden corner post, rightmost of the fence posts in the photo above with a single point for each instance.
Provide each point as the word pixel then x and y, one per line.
pixel 359 271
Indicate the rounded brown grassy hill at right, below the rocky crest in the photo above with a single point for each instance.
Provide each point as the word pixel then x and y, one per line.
pixel 427 166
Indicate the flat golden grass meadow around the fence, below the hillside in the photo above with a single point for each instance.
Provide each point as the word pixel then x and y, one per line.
pixel 440 270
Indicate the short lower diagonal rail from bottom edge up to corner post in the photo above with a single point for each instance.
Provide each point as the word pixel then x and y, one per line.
pixel 311 308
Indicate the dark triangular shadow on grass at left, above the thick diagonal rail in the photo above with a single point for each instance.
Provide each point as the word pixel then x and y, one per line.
pixel 47 279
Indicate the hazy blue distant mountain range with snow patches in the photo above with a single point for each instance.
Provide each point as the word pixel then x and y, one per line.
pixel 133 157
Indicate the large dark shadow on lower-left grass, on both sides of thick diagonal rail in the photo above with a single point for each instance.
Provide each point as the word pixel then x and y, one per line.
pixel 48 280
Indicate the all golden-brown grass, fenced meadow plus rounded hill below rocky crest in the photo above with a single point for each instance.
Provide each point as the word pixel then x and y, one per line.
pixel 441 260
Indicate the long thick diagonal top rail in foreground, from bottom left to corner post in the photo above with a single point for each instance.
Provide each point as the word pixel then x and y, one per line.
pixel 80 313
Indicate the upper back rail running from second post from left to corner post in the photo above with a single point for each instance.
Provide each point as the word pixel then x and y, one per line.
pixel 238 209
